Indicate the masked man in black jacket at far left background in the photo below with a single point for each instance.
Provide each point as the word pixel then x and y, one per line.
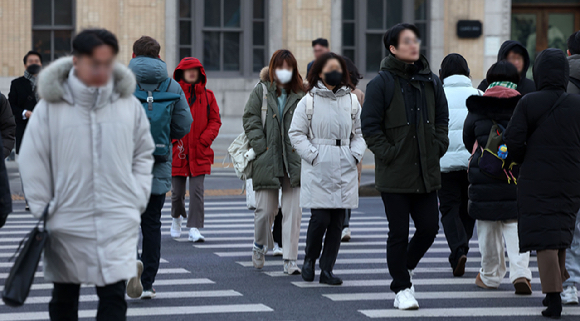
pixel 23 95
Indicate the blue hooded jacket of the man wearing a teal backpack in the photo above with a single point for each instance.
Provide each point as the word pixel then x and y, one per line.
pixel 149 73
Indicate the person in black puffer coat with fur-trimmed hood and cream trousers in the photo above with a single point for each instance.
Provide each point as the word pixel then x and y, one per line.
pixel 493 202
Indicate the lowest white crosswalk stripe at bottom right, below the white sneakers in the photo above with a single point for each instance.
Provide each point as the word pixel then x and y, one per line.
pixel 464 312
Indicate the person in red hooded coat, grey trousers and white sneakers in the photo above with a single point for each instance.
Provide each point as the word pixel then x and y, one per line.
pixel 192 155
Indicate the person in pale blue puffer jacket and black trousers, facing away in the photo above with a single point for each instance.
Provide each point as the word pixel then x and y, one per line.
pixel 453 198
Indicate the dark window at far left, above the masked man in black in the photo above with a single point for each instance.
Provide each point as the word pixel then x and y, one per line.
pixel 52 28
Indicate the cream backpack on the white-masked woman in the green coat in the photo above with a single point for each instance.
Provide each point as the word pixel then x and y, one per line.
pixel 241 145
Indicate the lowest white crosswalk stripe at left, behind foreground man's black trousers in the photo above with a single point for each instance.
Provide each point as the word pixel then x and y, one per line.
pixel 157 311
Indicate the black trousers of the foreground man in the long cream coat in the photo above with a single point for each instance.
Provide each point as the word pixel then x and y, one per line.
pixel 64 305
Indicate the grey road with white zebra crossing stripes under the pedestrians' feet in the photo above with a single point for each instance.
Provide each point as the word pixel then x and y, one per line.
pixel 215 280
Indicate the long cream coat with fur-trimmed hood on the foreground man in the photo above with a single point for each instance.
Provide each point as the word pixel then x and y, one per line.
pixel 88 152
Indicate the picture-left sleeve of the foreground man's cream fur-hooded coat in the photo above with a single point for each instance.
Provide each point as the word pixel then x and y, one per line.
pixel 34 161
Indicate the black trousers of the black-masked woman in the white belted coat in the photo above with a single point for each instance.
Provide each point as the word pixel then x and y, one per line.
pixel 322 221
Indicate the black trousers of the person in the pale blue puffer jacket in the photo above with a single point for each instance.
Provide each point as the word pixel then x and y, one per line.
pixel 457 224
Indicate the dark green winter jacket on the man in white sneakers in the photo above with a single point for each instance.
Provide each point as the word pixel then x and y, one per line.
pixel 407 134
